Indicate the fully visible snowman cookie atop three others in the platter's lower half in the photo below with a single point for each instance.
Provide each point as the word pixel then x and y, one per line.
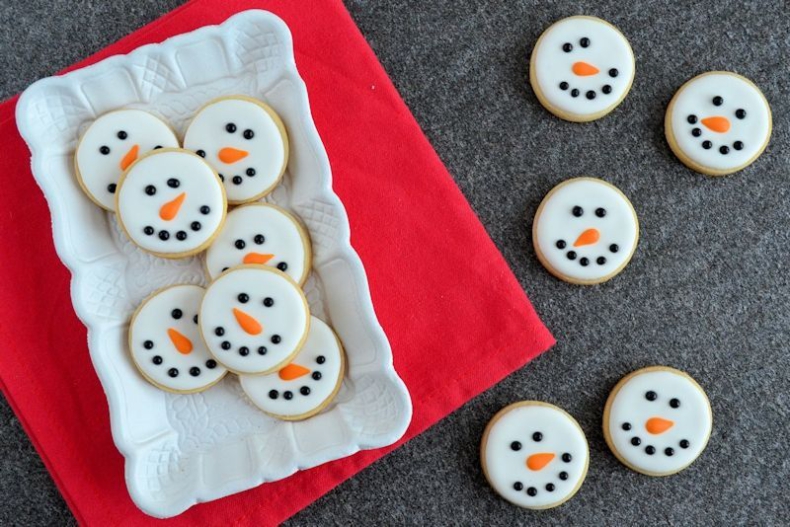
pixel 254 319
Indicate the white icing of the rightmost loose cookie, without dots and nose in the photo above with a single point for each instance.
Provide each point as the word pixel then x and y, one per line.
pixel 696 98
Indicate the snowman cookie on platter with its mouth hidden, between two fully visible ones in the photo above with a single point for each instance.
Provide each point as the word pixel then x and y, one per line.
pixel 261 234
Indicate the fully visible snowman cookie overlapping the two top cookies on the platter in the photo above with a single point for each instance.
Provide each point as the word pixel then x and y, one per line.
pixel 171 203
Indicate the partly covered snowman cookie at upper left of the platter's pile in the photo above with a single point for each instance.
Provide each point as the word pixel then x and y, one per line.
pixel 111 144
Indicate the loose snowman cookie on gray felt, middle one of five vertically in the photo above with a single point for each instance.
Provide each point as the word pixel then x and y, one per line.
pixel 585 231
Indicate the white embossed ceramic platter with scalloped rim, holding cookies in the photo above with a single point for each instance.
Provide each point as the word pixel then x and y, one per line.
pixel 185 449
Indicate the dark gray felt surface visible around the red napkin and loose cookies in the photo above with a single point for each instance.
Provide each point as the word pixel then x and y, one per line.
pixel 707 290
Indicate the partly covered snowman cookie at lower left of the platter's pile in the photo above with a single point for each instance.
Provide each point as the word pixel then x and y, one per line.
pixel 165 342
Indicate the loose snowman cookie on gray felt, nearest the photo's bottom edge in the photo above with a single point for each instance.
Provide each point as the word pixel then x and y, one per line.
pixel 534 455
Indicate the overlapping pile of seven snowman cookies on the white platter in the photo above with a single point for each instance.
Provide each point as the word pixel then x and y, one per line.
pixel 253 319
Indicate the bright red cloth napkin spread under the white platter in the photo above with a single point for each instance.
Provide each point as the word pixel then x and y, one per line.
pixel 456 317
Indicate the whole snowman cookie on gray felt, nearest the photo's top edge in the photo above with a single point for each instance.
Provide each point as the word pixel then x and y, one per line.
pixel 581 68
